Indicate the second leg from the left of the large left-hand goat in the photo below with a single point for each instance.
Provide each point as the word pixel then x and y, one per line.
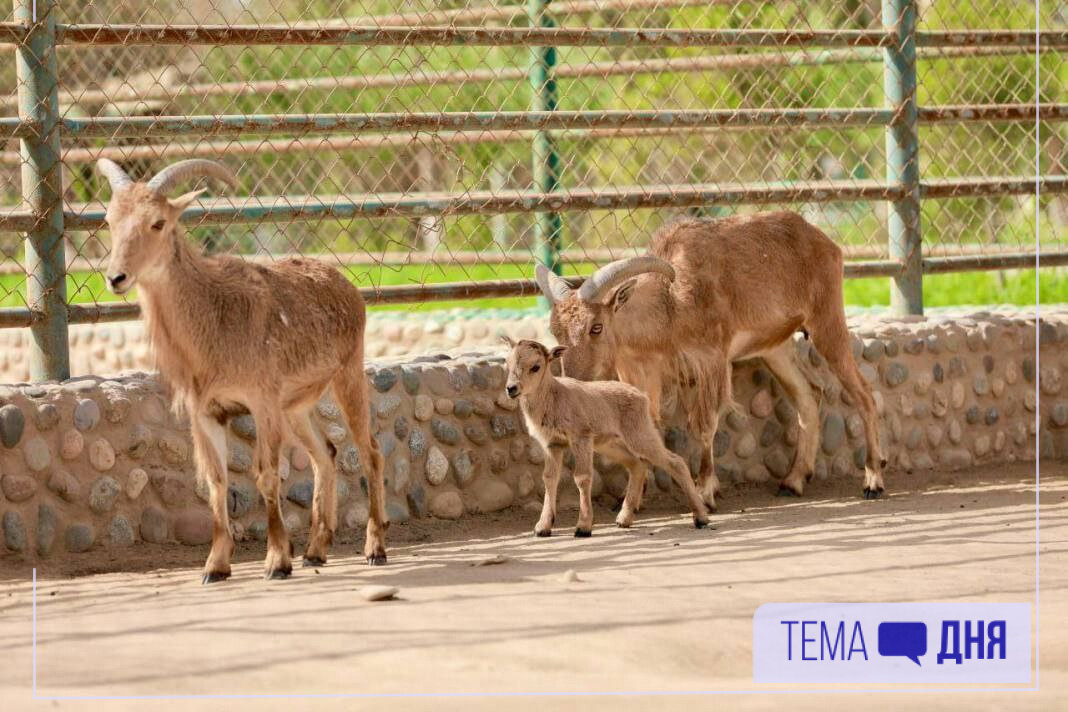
pixel 266 460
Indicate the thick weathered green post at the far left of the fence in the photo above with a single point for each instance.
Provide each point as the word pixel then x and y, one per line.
pixel 36 70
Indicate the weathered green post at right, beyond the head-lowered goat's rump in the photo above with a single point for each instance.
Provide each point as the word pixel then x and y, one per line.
pixel 903 156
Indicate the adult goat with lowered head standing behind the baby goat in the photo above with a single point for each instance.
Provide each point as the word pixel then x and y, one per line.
pixel 710 293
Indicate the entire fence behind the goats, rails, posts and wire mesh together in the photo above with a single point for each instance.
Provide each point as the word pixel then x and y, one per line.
pixel 437 153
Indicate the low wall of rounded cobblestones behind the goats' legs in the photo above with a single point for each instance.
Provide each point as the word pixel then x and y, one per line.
pixel 103 464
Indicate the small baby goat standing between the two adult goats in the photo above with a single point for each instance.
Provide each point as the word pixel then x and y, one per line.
pixel 605 417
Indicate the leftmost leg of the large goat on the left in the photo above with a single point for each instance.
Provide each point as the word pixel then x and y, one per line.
pixel 210 447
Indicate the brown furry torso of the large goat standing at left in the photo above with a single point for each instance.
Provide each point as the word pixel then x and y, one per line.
pixel 216 315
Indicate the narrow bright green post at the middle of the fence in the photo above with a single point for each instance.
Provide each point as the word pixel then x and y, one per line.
pixel 546 163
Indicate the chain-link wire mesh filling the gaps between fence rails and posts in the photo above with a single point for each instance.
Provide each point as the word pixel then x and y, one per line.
pixel 387 205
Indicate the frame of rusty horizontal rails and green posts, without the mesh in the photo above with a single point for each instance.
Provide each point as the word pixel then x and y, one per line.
pixel 40 129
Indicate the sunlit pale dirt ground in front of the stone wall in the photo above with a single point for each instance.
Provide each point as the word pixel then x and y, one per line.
pixel 661 612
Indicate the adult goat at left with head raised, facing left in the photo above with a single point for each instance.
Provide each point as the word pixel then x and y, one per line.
pixel 232 338
